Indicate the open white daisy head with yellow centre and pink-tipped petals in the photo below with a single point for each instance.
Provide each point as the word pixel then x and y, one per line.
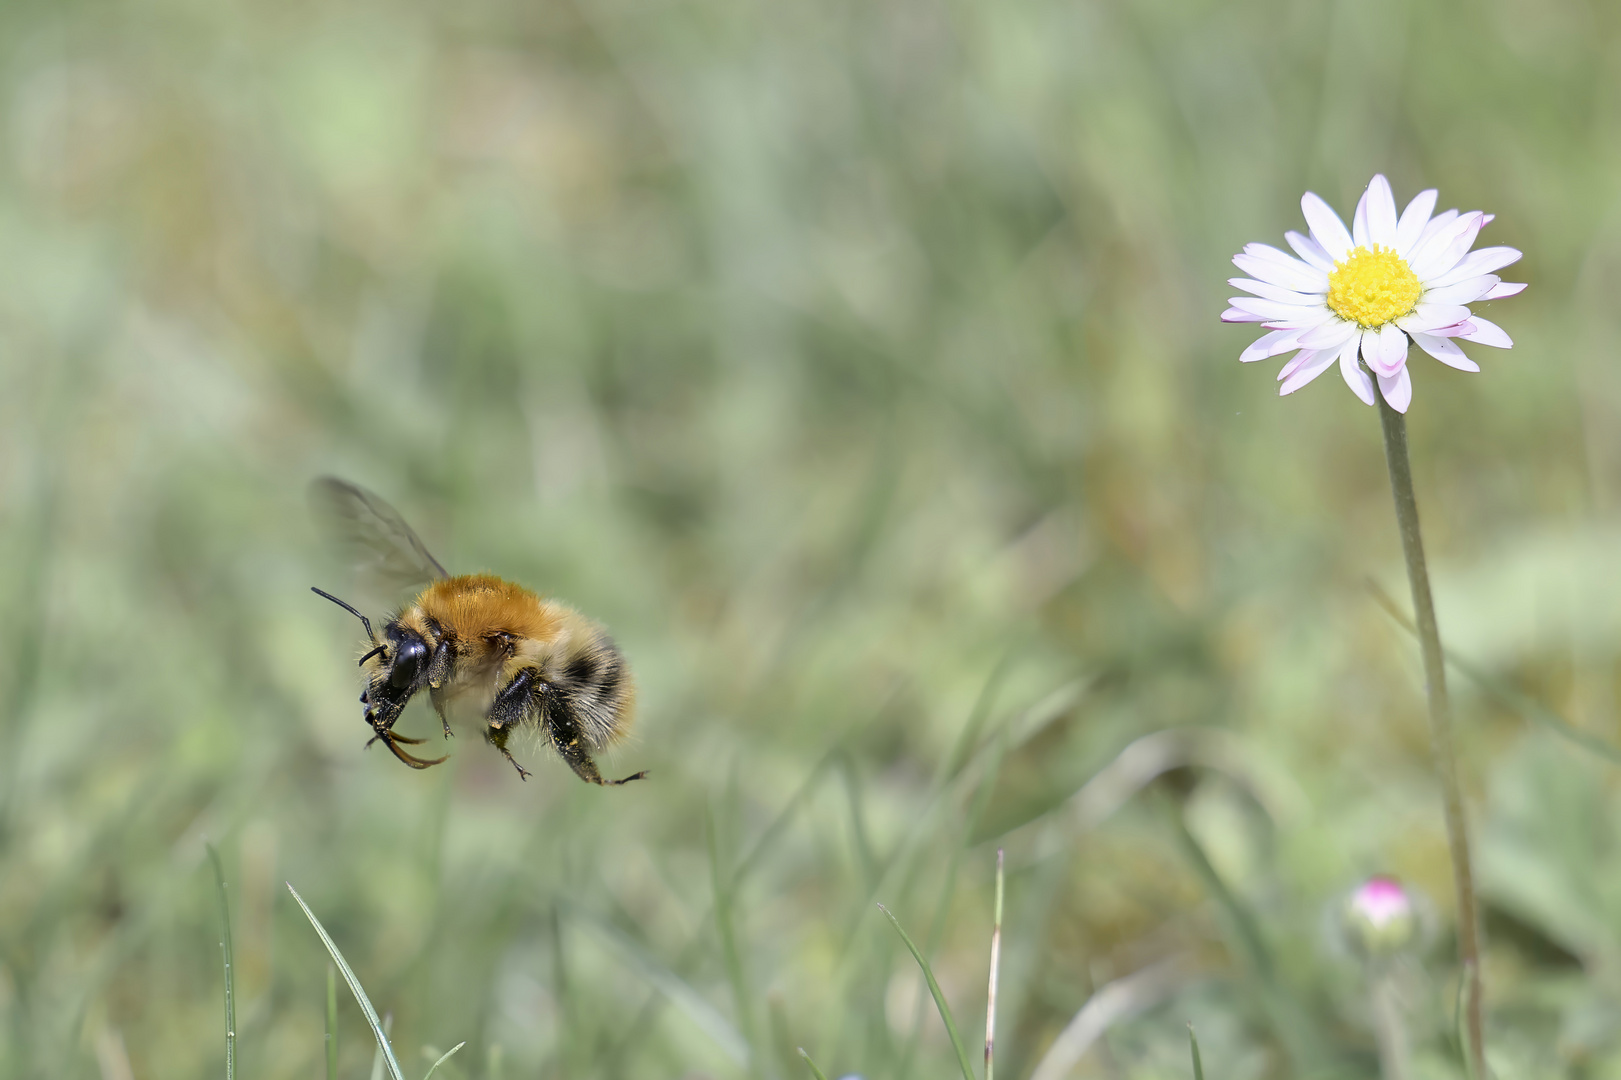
pixel 1372 289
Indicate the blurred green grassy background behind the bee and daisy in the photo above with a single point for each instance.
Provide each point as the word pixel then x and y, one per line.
pixel 858 364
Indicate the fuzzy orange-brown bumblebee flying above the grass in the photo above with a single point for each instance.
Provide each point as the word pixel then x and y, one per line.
pixel 477 645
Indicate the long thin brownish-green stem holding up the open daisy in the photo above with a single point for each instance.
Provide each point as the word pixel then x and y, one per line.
pixel 1395 426
